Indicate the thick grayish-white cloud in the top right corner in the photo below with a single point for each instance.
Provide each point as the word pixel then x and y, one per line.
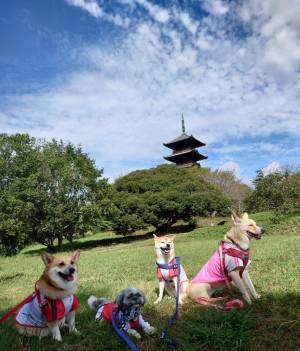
pixel 276 25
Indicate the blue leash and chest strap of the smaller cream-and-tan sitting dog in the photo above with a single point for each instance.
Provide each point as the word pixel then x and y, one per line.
pixel 164 336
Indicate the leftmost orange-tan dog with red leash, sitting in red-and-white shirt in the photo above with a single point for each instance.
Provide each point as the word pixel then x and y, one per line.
pixel 54 300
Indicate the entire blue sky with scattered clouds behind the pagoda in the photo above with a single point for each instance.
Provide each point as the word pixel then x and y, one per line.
pixel 115 76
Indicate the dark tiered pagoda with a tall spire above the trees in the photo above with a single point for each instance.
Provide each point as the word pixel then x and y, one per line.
pixel 184 149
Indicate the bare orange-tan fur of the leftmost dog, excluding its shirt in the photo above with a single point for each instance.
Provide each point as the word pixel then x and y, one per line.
pixel 55 288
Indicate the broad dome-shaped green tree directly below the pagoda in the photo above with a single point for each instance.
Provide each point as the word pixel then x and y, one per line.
pixel 161 196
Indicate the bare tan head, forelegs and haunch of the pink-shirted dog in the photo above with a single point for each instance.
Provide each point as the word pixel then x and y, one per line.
pixel 238 234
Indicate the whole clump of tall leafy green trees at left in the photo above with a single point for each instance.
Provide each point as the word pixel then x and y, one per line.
pixel 50 191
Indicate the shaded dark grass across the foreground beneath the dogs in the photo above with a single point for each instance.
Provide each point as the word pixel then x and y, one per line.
pixel 269 324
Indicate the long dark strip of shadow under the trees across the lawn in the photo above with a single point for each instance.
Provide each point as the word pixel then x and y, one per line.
pixel 89 244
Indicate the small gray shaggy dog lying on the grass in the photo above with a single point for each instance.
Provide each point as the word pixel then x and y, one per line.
pixel 126 310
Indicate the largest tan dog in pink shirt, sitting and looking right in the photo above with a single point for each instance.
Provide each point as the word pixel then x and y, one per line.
pixel 229 263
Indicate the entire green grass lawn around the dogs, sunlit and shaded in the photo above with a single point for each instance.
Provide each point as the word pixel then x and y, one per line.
pixel 271 323
